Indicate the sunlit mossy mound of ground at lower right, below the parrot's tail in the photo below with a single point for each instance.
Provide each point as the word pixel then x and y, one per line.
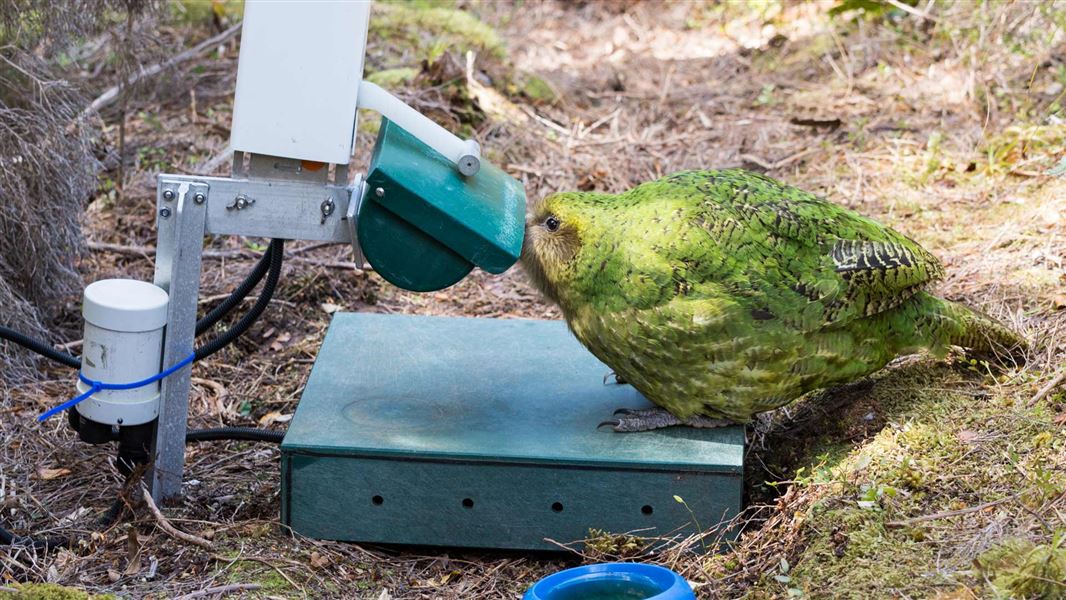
pixel 951 440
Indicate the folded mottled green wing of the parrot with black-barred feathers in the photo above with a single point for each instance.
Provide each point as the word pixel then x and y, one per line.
pixel 802 258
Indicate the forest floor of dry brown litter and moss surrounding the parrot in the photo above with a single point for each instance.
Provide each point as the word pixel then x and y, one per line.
pixel 941 128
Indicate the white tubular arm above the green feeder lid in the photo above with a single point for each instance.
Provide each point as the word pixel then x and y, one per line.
pixel 465 155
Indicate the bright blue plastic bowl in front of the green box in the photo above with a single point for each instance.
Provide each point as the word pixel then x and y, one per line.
pixel 612 581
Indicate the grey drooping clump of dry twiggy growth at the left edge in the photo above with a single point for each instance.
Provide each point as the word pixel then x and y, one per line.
pixel 47 171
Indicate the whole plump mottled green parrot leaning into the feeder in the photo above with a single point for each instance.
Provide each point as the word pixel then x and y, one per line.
pixel 720 295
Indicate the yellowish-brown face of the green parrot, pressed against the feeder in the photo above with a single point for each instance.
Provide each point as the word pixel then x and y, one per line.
pixel 556 230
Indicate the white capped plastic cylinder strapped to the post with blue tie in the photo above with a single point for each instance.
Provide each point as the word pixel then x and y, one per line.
pixel 123 344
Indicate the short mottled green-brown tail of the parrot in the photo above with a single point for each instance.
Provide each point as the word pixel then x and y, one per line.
pixel 940 323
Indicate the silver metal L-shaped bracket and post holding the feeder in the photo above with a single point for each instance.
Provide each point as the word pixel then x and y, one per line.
pixel 188 208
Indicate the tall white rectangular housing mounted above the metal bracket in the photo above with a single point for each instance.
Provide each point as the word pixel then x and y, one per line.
pixel 298 79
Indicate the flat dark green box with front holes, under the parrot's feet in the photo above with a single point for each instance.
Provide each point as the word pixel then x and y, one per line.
pixel 483 433
